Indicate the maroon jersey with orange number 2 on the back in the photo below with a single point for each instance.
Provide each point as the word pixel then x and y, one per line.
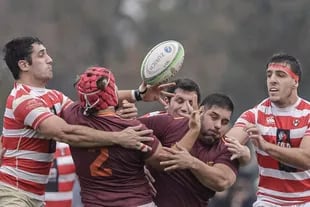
pixel 110 176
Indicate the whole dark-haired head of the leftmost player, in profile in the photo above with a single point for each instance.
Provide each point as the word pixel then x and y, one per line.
pixel 27 55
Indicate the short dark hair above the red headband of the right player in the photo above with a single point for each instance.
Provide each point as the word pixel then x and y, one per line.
pixel 289 59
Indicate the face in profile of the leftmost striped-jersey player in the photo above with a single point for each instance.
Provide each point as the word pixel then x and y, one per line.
pixel 41 68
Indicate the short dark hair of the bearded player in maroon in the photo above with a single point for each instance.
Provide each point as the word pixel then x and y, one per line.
pixel 217 99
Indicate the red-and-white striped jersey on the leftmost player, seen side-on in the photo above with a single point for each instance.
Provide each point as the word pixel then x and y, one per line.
pixel 28 158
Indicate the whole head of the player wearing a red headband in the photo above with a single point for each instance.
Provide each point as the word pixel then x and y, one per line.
pixel 283 78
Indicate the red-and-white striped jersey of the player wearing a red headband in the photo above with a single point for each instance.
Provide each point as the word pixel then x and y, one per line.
pixel 279 183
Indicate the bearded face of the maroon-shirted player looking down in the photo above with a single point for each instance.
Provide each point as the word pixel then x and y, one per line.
pixel 214 124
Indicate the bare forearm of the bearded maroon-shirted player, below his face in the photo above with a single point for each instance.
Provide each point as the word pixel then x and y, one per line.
pixel 210 176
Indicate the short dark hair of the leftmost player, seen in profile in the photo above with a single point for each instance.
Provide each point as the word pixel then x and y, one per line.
pixel 19 49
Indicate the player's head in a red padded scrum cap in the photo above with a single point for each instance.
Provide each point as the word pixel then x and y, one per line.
pixel 96 89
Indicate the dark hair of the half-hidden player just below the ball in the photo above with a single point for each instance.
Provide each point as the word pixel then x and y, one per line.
pixel 185 84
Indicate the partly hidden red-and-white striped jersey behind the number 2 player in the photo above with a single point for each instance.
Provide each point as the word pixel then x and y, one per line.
pixel 61 179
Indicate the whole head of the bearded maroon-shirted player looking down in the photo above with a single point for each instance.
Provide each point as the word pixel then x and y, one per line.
pixel 218 109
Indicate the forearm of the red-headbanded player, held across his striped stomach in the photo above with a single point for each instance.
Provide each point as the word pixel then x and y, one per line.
pixel 297 157
